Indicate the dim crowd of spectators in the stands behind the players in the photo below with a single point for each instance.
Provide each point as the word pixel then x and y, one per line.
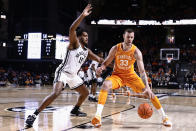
pixel 160 72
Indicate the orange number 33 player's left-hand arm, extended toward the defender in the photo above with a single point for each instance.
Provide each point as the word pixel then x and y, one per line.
pixel 107 61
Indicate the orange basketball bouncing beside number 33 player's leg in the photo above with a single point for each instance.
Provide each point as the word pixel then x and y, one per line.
pixel 145 111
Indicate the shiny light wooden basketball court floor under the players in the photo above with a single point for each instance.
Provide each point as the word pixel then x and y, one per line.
pixel 120 115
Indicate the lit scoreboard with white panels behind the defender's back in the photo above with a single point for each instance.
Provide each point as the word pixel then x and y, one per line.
pixel 39 46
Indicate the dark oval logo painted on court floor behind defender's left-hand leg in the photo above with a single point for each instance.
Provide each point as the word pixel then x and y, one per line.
pixel 24 109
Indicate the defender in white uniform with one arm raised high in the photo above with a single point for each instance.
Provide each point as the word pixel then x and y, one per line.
pixel 66 73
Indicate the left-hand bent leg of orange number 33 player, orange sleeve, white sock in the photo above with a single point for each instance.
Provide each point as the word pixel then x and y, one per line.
pixel 111 82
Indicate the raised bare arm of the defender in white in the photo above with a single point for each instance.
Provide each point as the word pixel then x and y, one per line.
pixel 74 43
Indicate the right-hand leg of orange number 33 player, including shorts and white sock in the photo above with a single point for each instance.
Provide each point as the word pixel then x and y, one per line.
pixel 138 86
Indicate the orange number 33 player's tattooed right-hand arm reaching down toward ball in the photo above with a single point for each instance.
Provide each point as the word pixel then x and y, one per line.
pixel 140 64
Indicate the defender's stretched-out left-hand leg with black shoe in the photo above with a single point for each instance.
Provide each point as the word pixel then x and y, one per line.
pixel 57 88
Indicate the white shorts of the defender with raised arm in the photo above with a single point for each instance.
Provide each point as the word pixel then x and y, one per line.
pixel 74 81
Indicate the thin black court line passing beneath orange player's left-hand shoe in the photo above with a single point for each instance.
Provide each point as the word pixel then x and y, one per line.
pixel 102 118
